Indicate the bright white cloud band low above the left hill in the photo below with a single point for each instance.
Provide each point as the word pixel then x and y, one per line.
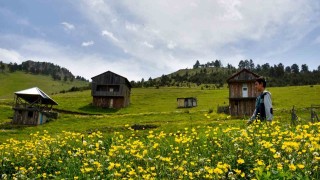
pixel 88 64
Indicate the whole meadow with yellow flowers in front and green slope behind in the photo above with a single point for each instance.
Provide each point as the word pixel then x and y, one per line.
pixel 171 143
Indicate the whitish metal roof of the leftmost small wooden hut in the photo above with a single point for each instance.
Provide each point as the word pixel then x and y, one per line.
pixel 35 94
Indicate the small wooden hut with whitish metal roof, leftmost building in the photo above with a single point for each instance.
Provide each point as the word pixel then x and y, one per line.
pixel 33 107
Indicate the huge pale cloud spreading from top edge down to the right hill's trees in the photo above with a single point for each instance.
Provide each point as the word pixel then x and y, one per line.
pixel 186 30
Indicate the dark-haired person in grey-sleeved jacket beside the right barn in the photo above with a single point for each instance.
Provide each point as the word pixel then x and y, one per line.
pixel 263 109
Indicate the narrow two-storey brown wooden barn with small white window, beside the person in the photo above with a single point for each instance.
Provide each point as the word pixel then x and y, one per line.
pixel 242 93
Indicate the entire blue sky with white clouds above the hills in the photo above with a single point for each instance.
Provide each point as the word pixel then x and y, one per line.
pixel 142 39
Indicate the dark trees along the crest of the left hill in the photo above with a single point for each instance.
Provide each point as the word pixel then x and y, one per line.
pixel 44 68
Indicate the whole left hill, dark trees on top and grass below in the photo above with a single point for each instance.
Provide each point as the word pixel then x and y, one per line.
pixel 47 76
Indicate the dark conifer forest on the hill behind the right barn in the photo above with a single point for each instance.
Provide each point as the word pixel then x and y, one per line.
pixel 214 73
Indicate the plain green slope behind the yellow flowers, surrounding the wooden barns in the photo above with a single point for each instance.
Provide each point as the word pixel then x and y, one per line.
pixel 157 107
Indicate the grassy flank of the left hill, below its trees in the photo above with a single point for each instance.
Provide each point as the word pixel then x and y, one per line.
pixel 12 82
